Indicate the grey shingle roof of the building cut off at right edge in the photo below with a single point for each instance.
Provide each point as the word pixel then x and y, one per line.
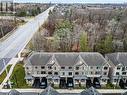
pixel 118 58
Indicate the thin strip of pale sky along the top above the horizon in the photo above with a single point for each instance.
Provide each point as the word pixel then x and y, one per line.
pixel 73 1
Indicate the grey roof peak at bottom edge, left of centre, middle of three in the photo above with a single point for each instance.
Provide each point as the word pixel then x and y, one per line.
pixel 49 91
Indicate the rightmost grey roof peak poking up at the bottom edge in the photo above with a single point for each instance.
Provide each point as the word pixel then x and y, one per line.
pixel 90 91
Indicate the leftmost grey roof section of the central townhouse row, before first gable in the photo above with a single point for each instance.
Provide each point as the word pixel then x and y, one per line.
pixel 40 58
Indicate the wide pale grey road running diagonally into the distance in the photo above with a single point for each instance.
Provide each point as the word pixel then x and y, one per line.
pixel 20 38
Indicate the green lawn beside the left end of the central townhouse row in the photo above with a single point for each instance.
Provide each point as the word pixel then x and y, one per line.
pixel 18 76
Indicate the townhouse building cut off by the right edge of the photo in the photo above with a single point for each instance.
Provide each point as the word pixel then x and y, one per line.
pixel 118 71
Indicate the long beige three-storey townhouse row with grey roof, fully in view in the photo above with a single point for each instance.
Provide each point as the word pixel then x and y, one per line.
pixel 66 69
